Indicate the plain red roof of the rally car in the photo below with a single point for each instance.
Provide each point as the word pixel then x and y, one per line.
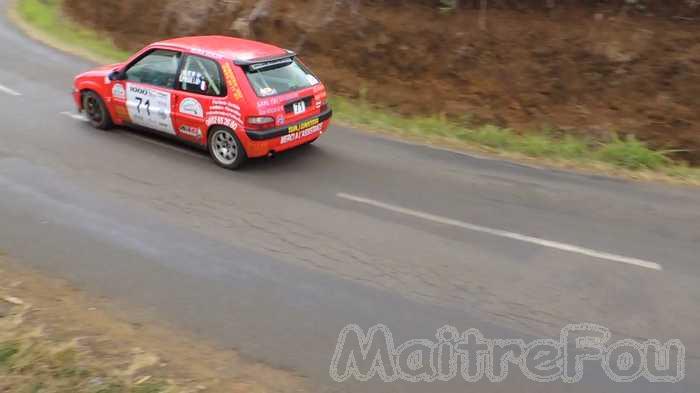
pixel 227 47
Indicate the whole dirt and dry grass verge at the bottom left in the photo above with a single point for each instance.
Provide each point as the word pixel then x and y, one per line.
pixel 56 339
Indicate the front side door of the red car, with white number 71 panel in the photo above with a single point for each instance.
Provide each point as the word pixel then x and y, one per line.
pixel 150 83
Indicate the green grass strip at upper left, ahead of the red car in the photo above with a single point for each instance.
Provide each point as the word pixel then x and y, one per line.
pixel 46 16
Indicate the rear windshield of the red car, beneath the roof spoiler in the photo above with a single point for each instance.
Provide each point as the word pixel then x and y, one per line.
pixel 279 77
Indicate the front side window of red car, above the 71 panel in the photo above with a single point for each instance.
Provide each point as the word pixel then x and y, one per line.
pixel 157 68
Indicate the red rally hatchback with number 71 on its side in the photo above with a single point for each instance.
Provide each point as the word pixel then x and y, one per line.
pixel 240 99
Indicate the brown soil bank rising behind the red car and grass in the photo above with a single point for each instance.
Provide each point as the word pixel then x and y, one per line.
pixel 585 69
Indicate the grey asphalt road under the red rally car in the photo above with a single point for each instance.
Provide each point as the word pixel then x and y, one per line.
pixel 276 259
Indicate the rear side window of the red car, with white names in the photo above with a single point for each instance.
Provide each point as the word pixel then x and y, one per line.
pixel 201 76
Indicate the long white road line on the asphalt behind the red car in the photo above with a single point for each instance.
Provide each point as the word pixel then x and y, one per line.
pixel 505 234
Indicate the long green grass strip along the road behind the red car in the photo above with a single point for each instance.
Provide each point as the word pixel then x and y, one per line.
pixel 626 153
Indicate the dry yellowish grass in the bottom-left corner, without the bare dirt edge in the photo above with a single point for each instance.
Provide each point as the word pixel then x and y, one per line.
pixel 32 360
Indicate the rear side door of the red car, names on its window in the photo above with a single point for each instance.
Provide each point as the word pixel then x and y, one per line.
pixel 200 87
